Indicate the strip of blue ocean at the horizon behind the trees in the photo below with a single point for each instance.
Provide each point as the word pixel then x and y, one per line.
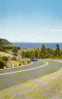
pixel 38 45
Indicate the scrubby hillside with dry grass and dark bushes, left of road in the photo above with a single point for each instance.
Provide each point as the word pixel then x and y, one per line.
pixel 10 56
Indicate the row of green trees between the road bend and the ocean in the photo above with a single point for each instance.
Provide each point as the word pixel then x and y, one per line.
pixel 43 52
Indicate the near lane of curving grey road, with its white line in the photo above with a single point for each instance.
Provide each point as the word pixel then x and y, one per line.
pixel 37 69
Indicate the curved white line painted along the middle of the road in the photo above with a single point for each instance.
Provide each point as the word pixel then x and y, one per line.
pixel 41 66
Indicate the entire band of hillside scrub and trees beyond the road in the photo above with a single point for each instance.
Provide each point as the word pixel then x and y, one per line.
pixel 12 56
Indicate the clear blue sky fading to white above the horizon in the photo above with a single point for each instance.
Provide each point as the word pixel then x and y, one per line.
pixel 31 20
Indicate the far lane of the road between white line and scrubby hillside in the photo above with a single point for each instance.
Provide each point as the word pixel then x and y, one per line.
pixel 32 64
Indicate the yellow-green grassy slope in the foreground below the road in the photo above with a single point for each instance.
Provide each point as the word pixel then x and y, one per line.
pixel 47 87
